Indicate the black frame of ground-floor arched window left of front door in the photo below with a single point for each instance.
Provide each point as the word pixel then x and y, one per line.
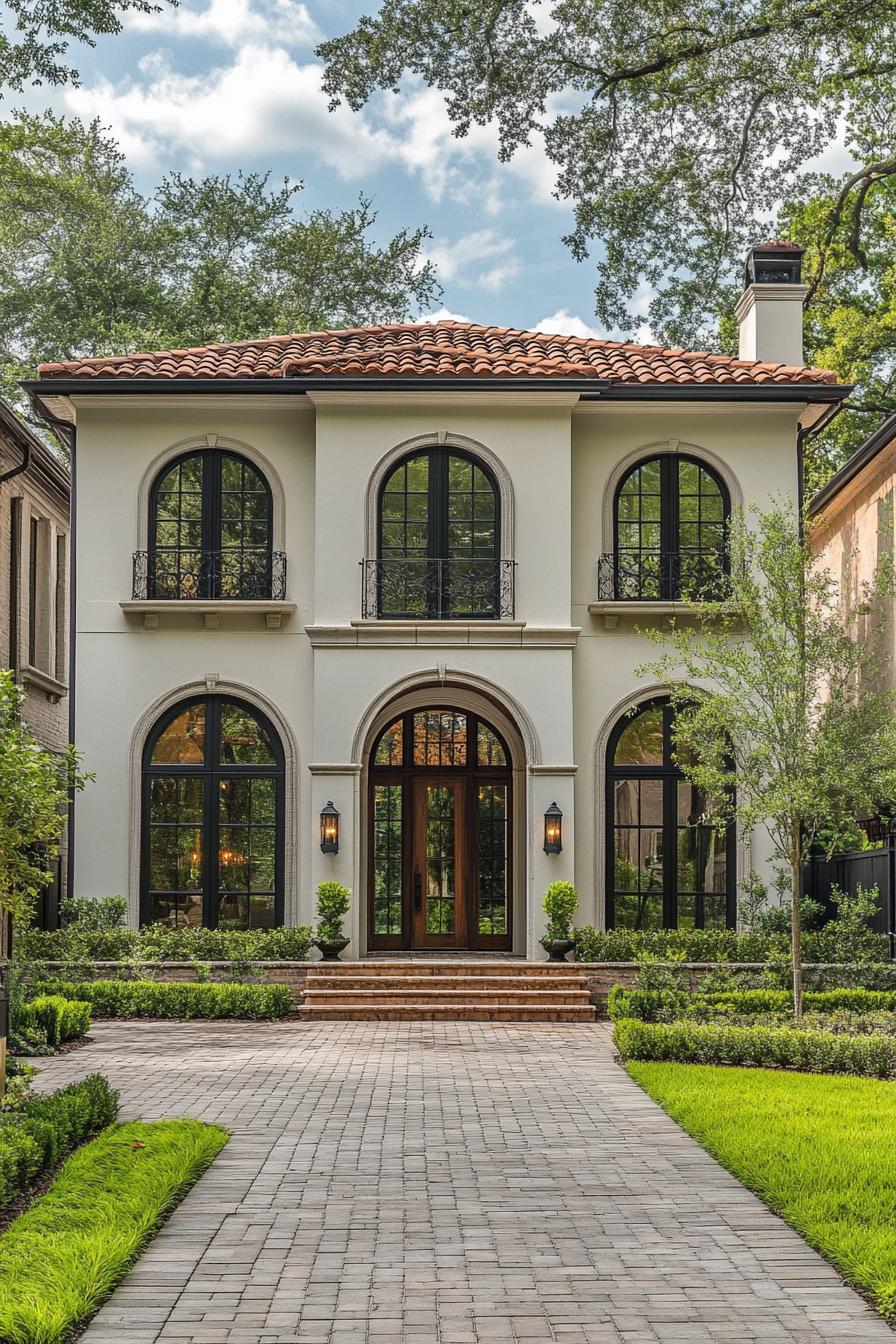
pixel 212 771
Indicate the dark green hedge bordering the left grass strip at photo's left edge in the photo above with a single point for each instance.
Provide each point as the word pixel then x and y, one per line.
pixel 34 1138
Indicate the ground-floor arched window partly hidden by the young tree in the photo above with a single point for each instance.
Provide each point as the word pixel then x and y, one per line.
pixel 667 865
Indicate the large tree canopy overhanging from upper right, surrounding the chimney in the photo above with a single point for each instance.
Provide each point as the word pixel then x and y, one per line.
pixel 682 135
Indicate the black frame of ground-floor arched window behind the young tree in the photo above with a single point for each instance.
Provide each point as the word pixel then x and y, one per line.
pixel 670 773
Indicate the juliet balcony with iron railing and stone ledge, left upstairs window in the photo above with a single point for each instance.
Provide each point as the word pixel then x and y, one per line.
pixel 233 583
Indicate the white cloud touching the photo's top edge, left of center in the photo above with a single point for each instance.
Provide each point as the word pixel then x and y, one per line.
pixel 230 24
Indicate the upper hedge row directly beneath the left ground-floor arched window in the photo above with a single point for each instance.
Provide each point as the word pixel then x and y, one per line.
pixel 159 943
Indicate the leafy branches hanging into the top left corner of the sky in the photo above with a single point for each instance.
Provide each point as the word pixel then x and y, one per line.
pixel 36 36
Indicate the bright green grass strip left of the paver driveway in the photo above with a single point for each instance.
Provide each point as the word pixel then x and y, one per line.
pixel 64 1257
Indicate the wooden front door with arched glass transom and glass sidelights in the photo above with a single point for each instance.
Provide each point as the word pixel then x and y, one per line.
pixel 440 835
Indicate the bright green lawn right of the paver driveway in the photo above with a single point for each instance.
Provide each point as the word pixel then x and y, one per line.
pixel 821 1151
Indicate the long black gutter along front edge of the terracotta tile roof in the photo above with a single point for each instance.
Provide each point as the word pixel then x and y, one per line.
pixel 590 389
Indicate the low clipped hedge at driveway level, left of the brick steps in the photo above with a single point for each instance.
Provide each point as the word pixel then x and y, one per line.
pixel 163 999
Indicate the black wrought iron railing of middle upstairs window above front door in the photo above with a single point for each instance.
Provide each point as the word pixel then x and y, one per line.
pixel 422 589
